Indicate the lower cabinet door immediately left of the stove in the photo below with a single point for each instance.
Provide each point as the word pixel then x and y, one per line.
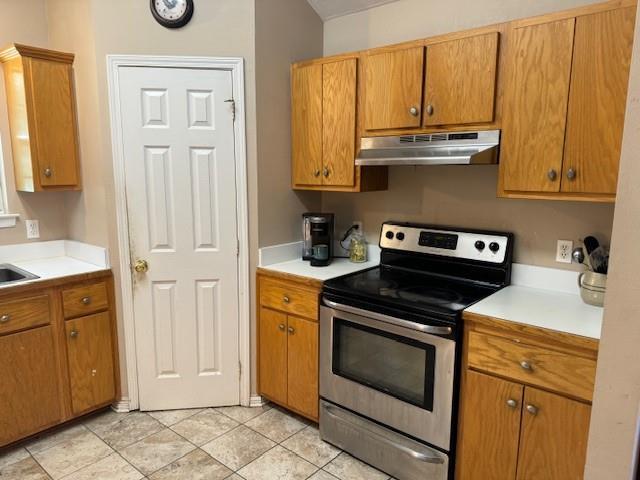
pixel 303 366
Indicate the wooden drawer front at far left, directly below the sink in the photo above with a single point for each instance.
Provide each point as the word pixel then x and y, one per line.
pixel 23 314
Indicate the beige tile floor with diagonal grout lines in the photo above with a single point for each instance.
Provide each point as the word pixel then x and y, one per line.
pixel 232 443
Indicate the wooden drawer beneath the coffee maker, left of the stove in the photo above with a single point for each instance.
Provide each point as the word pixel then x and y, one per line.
pixel 289 298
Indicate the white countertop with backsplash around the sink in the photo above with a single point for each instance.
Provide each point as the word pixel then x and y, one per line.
pixel 54 259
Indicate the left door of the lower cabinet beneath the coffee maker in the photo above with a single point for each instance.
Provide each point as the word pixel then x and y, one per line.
pixel 273 355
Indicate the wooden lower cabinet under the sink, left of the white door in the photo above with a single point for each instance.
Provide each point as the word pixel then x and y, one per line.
pixel 54 369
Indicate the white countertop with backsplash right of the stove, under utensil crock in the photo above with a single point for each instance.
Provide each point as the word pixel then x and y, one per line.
pixel 527 302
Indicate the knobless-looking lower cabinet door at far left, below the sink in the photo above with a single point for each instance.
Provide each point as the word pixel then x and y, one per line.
pixel 29 390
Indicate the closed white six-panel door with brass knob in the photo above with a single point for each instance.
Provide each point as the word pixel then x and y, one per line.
pixel 178 141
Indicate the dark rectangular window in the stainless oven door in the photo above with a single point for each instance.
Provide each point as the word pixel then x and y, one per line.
pixel 396 365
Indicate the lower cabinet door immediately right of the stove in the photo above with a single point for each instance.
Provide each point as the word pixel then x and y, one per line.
pixel 490 417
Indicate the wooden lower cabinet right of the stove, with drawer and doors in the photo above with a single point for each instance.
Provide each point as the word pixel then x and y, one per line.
pixel 511 427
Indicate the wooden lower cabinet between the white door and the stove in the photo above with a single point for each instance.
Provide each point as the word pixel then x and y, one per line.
pixel 288 343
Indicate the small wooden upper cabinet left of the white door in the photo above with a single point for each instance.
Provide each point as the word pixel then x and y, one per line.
pixel 42 118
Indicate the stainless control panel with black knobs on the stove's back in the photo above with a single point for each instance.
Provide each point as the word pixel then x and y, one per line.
pixel 490 248
